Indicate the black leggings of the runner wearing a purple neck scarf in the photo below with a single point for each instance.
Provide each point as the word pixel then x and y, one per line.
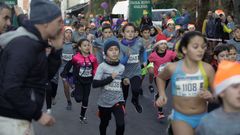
pixel 135 86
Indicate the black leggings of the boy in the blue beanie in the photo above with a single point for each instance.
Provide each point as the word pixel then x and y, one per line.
pixel 105 116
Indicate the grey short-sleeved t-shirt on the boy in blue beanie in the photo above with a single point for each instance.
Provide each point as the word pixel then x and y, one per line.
pixel 110 93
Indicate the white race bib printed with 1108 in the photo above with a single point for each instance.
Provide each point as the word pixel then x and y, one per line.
pixel 189 86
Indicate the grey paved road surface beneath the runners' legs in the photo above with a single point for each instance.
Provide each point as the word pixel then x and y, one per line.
pixel 67 122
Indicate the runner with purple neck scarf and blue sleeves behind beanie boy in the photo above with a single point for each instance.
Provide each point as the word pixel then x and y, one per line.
pixel 132 50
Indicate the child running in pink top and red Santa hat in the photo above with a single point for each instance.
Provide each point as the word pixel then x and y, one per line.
pixel 159 57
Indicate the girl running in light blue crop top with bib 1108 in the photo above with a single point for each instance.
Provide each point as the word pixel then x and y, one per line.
pixel 190 78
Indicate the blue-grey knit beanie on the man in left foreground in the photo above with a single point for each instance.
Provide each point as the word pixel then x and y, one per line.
pixel 43 11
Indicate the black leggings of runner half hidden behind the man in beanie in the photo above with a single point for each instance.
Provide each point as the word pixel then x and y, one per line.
pixel 51 92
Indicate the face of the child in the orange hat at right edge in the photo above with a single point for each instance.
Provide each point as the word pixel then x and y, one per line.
pixel 231 97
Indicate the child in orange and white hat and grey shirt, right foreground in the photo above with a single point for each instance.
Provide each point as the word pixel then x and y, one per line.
pixel 225 120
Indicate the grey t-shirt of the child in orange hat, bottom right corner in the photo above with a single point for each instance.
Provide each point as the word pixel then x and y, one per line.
pixel 219 122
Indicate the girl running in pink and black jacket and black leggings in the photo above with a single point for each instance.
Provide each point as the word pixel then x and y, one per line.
pixel 84 68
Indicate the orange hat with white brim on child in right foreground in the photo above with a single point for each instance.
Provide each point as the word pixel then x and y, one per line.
pixel 228 73
